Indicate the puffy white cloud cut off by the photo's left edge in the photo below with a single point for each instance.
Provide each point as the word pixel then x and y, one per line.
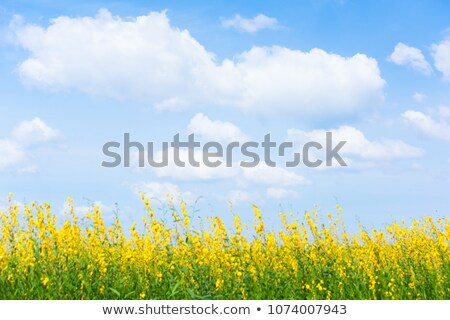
pixel 14 149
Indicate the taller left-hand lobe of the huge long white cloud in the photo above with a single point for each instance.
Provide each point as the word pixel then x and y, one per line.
pixel 141 57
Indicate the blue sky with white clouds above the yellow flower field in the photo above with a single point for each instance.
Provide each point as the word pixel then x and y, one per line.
pixel 76 74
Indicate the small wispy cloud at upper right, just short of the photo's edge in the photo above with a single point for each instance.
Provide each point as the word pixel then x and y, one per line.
pixel 412 57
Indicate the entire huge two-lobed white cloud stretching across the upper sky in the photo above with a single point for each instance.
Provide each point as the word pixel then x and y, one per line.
pixel 147 58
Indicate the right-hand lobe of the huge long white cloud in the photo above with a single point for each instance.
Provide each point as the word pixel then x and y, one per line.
pixel 282 79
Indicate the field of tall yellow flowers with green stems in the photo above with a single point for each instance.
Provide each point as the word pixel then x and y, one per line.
pixel 83 258
